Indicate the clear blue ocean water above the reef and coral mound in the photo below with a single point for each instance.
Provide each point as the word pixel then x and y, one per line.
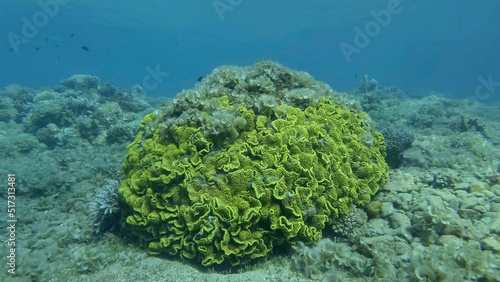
pixel 421 47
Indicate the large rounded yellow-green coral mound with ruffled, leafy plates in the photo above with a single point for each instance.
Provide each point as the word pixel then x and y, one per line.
pixel 251 158
